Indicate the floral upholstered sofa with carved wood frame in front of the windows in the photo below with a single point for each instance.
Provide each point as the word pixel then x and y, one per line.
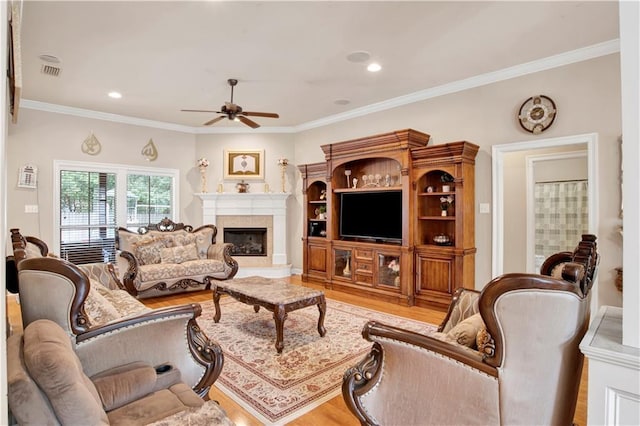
pixel 170 257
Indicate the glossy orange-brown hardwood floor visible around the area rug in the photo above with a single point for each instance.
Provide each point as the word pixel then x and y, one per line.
pixel 334 411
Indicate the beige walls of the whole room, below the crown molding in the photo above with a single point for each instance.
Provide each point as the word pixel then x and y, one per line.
pixel 587 95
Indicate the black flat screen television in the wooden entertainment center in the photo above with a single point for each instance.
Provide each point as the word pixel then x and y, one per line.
pixel 374 215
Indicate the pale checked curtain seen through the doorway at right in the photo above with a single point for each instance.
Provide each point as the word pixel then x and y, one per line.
pixel 562 216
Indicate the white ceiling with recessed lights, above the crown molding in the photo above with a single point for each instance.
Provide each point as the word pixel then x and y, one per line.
pixel 289 57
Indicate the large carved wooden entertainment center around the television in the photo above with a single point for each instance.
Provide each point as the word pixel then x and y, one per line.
pixel 391 218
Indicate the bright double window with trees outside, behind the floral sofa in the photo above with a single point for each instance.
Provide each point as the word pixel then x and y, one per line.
pixel 94 200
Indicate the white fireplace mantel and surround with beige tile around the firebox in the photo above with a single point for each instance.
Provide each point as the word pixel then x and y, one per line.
pixel 247 210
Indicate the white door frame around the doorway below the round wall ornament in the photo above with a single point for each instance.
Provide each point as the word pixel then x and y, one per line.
pixel 497 187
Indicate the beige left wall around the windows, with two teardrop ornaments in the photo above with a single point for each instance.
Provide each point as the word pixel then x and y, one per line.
pixel 39 138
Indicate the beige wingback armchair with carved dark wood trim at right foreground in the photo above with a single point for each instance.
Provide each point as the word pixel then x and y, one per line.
pixel 506 355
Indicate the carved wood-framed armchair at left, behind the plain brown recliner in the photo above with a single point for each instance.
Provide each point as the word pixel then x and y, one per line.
pixel 60 291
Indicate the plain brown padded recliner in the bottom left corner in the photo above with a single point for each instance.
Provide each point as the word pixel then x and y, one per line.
pixel 48 384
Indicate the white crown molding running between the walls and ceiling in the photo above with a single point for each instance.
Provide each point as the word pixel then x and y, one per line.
pixel 550 62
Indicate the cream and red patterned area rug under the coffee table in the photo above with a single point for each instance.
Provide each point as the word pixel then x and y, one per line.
pixel 277 388
